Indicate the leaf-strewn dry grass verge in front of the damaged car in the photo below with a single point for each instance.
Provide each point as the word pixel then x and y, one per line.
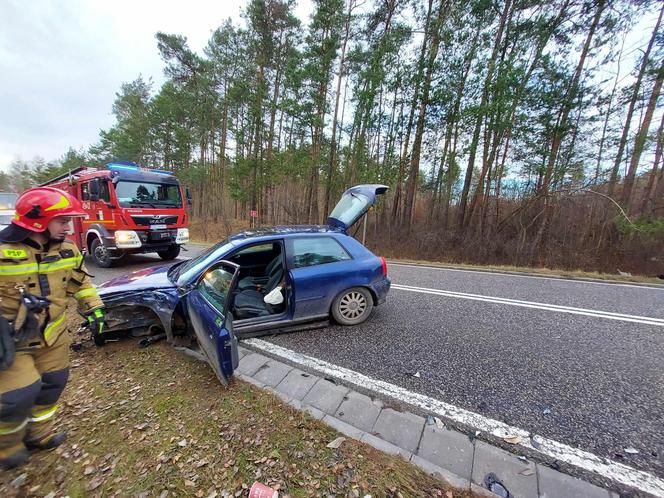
pixel 154 422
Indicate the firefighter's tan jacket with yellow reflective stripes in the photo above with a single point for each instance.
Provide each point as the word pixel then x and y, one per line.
pixel 55 271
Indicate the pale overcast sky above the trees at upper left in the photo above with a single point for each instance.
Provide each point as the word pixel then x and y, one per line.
pixel 61 63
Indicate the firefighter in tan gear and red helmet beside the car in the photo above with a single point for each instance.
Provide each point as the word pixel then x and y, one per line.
pixel 39 271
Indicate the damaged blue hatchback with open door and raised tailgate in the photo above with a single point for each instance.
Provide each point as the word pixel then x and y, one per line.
pixel 263 281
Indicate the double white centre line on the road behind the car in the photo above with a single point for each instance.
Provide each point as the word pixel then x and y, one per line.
pixel 659 322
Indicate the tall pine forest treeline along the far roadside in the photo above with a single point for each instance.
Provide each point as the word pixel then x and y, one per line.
pixel 509 131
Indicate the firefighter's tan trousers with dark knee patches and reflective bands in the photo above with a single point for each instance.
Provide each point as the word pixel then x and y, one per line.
pixel 29 393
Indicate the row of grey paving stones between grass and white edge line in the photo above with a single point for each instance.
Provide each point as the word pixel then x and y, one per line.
pixel 440 451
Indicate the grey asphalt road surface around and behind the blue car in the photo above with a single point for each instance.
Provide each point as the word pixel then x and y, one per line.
pixel 588 381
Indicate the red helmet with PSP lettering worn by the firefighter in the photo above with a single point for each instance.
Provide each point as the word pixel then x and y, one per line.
pixel 35 208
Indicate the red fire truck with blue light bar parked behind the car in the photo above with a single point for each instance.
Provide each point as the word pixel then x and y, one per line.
pixel 130 210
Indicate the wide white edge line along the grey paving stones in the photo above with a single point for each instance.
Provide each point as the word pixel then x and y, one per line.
pixel 615 471
